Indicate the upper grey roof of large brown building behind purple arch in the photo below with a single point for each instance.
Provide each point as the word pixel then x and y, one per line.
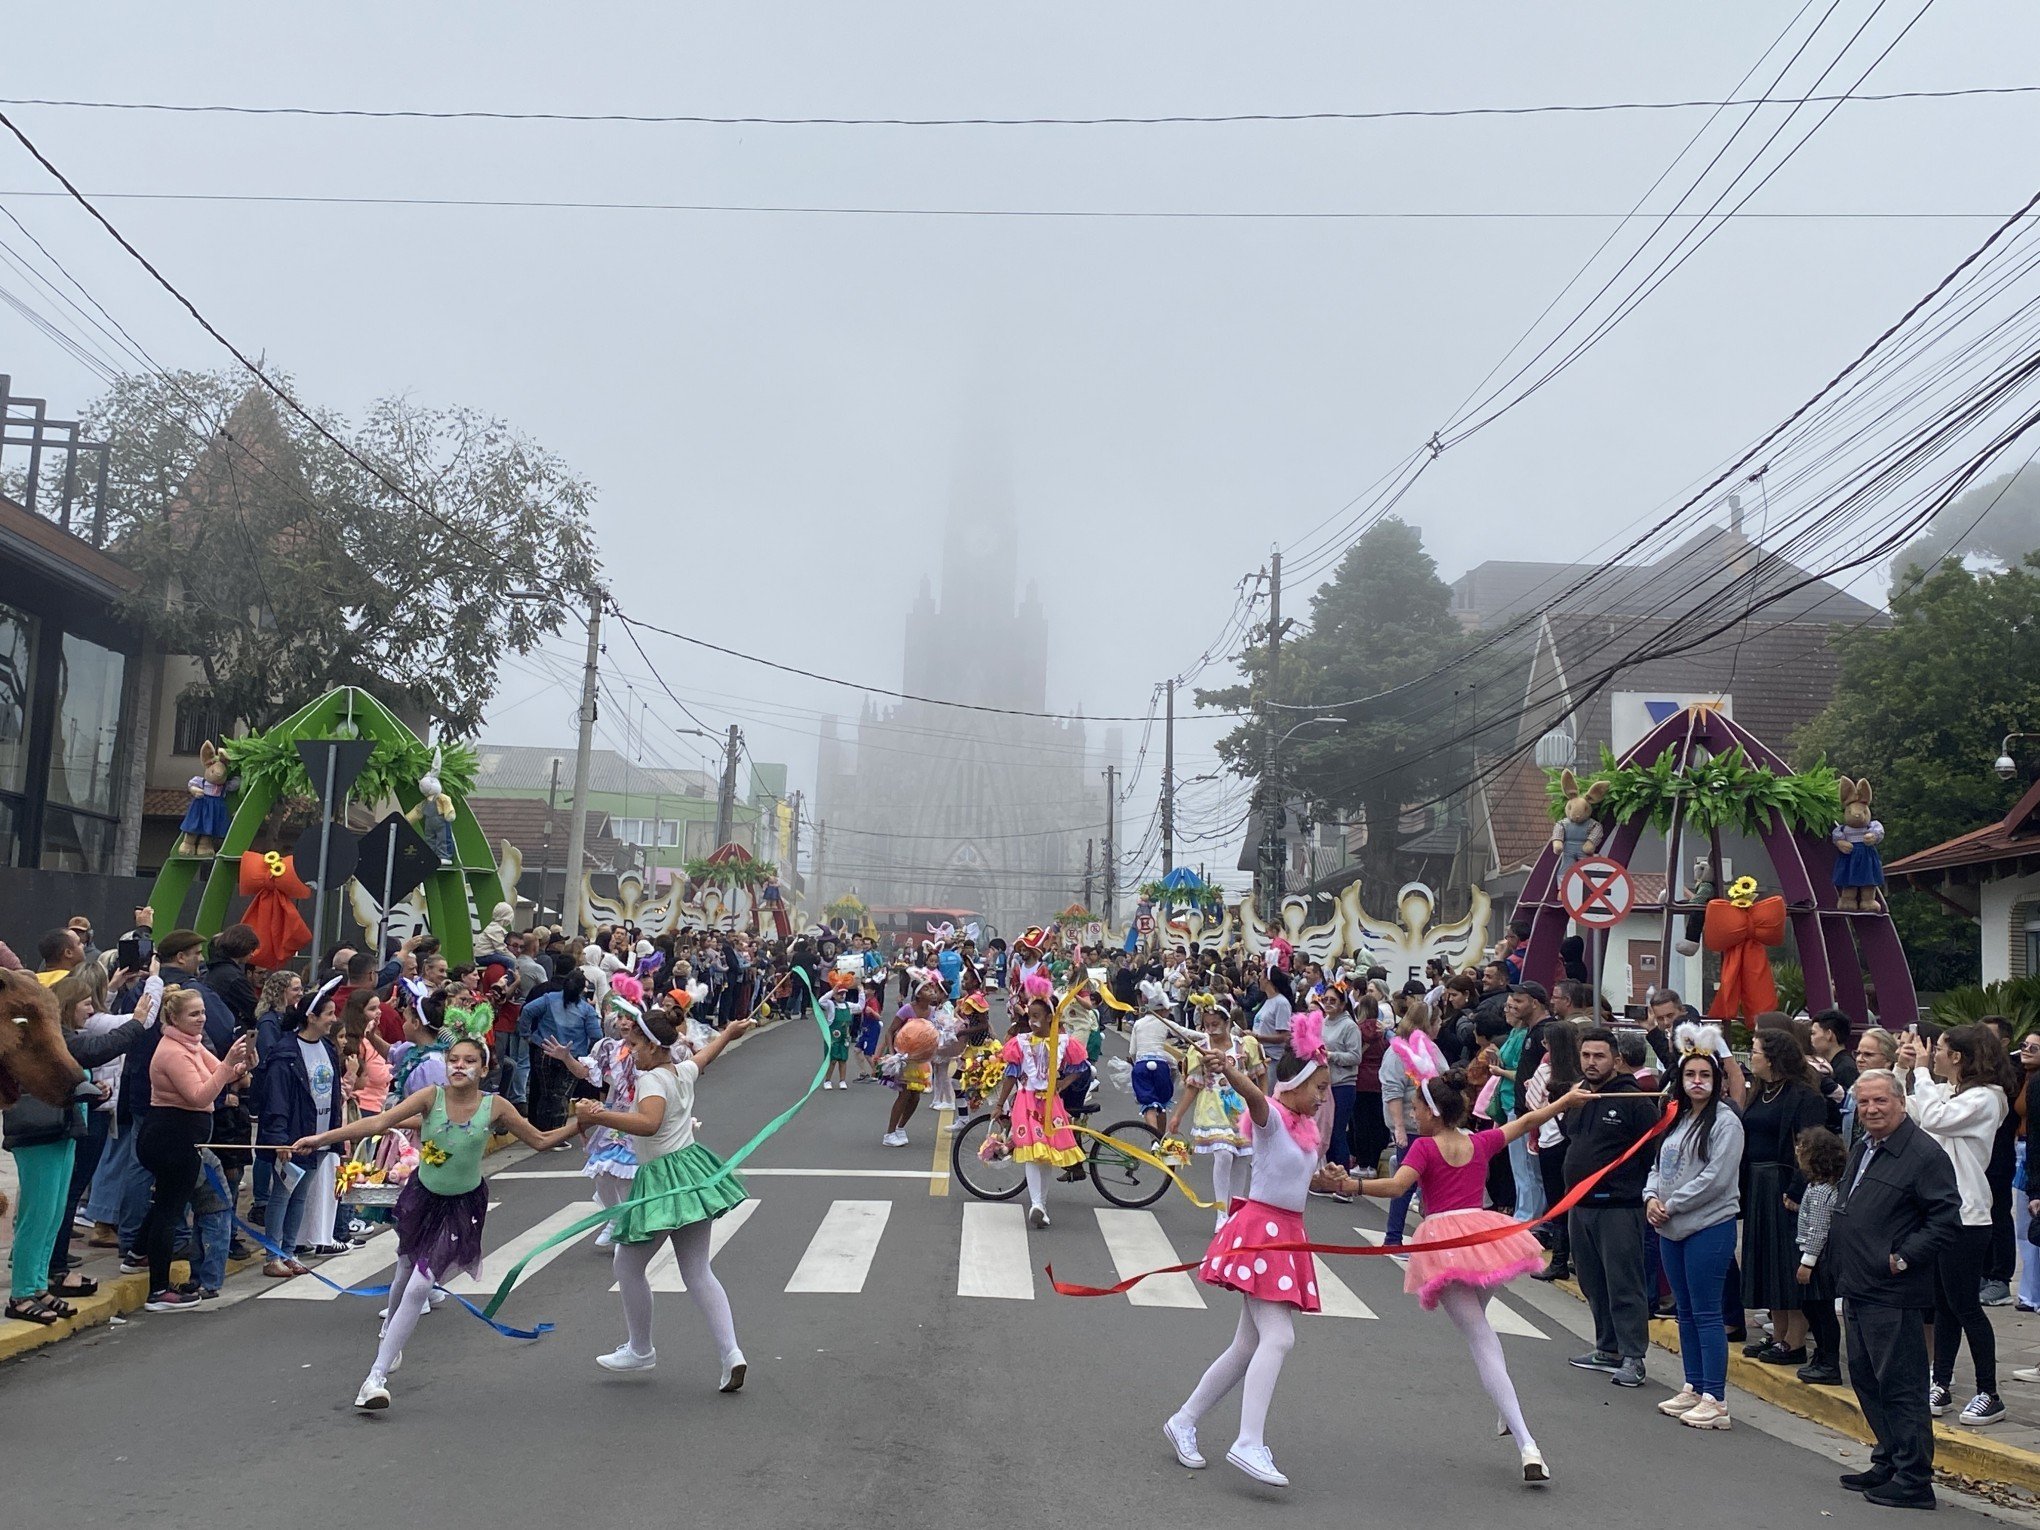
pixel 1700 576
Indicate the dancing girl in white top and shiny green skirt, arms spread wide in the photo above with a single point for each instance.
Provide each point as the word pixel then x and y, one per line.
pixel 674 1194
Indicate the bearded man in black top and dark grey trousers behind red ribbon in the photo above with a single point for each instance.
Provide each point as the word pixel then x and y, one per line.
pixel 1609 1227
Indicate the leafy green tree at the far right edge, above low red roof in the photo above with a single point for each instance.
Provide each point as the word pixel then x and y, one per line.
pixel 1919 709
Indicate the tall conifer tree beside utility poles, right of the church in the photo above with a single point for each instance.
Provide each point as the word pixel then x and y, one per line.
pixel 1382 621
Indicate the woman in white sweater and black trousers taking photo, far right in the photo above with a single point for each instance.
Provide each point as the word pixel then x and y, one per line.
pixel 1959 1103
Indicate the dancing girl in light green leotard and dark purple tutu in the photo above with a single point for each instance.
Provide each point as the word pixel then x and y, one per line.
pixel 442 1209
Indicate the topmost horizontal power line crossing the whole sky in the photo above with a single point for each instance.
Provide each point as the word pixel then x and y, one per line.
pixel 1170 119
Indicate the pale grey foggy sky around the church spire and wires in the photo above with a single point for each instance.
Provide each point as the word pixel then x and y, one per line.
pixel 772 405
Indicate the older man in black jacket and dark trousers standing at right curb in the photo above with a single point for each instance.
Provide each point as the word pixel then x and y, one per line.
pixel 1898 1209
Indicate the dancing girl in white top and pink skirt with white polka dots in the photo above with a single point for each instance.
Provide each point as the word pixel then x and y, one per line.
pixel 1272 1282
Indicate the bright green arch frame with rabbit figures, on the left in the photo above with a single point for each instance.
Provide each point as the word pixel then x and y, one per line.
pixel 346 713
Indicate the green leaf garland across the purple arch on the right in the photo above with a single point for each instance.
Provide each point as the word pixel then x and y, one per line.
pixel 1719 793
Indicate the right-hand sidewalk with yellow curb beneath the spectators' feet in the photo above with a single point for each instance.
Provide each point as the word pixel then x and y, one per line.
pixel 2006 1453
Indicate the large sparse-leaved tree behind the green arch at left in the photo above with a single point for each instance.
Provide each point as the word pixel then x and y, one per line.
pixel 287 568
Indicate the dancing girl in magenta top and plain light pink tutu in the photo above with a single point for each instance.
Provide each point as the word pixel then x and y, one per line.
pixel 1451 1170
